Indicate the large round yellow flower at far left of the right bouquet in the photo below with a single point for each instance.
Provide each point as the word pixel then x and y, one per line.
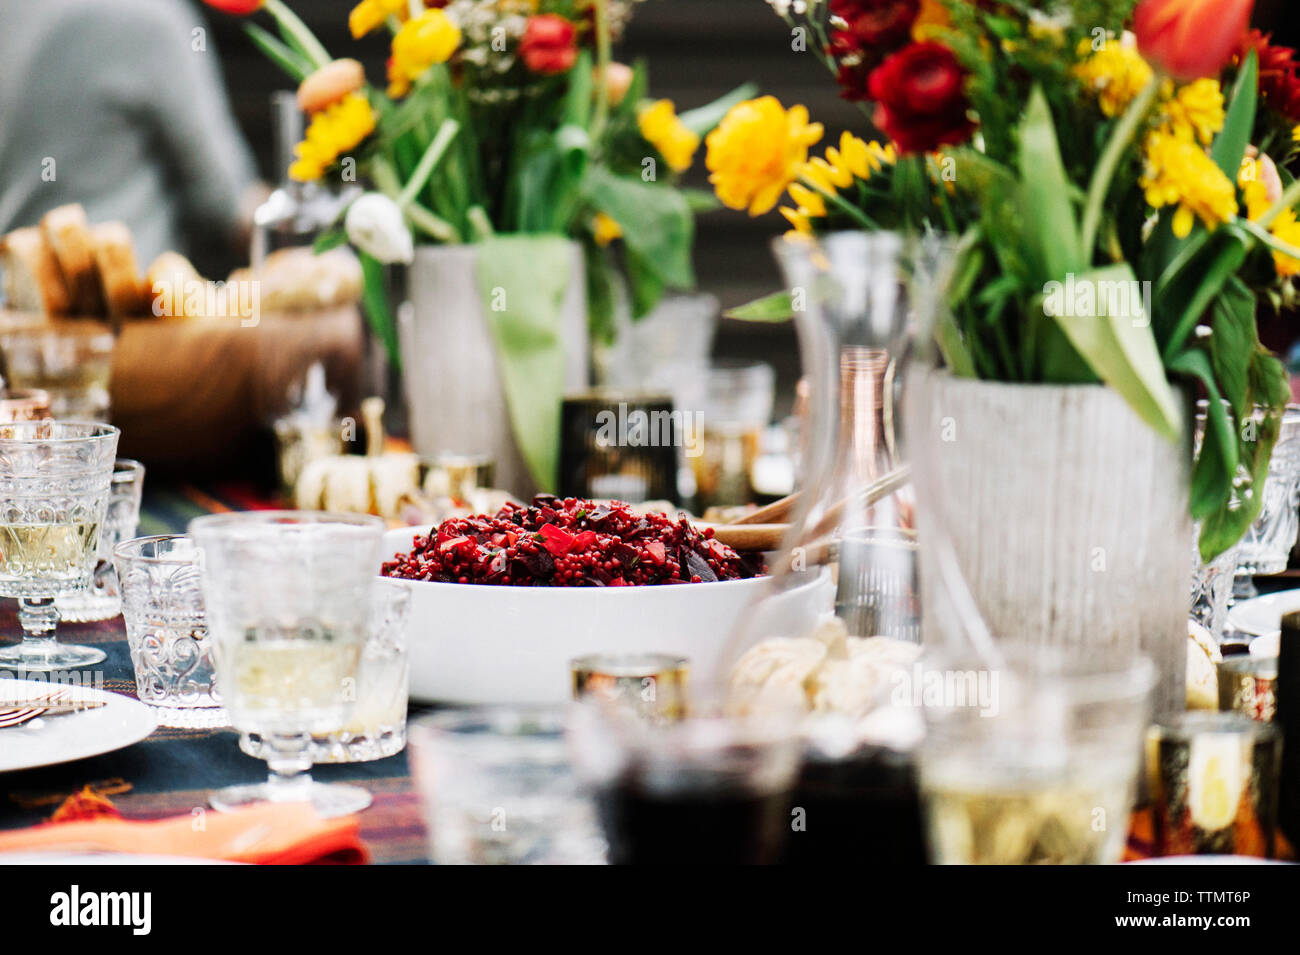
pixel 757 151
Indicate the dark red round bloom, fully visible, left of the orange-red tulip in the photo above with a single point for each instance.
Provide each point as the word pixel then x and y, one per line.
pixel 920 98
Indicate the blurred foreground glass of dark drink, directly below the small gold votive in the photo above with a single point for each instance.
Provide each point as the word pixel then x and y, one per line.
pixel 712 789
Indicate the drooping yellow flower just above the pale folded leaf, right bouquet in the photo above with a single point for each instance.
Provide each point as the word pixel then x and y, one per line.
pixel 1181 173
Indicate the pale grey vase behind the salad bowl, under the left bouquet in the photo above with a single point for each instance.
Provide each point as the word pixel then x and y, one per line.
pixel 453 385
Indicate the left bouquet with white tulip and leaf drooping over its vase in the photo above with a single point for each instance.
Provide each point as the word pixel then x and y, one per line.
pixel 508 124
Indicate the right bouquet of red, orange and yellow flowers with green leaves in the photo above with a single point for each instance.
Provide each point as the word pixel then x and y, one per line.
pixel 1076 150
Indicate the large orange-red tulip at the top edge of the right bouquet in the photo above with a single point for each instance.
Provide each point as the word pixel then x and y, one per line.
pixel 1190 40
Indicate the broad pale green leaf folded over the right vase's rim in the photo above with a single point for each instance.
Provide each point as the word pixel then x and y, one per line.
pixel 1117 344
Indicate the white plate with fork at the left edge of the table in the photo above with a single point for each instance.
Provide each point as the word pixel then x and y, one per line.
pixel 53 740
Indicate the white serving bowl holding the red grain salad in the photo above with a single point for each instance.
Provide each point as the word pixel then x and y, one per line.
pixel 478 644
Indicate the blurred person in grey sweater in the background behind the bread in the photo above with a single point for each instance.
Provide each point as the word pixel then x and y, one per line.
pixel 119 106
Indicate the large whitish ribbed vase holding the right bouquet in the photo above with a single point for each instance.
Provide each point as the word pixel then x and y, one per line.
pixel 1068 514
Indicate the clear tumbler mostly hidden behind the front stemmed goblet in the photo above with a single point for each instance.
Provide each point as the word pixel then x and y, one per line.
pixel 378 724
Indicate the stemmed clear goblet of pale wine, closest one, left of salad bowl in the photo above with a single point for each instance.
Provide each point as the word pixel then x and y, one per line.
pixel 289 610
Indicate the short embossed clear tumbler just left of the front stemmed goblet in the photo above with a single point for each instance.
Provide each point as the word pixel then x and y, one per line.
pixel 167 631
